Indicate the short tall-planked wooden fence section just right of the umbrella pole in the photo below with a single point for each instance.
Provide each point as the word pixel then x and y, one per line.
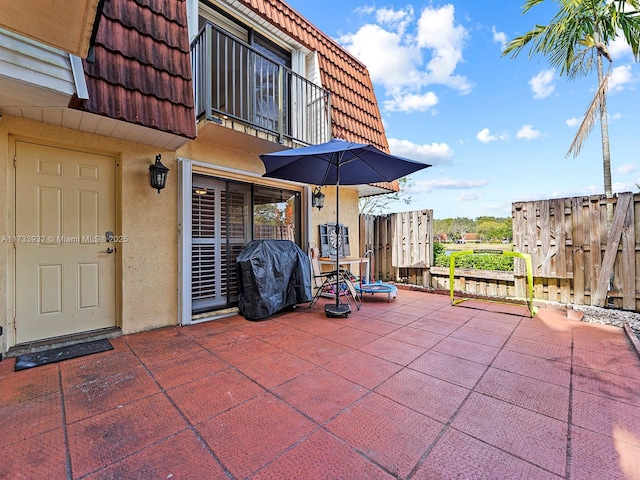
pixel 401 243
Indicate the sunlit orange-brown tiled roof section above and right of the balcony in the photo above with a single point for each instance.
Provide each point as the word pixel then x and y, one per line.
pixel 355 114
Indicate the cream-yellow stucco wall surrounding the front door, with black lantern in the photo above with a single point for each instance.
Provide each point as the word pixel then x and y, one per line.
pixel 148 262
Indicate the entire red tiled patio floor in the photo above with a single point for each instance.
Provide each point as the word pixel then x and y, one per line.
pixel 413 389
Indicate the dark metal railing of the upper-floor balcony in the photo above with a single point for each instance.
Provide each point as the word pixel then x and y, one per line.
pixel 234 81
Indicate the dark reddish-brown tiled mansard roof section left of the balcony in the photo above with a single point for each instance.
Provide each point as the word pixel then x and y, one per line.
pixel 141 71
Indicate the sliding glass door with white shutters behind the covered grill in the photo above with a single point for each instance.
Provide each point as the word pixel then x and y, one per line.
pixel 225 216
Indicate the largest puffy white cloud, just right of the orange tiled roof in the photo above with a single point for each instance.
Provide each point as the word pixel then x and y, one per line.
pixel 406 55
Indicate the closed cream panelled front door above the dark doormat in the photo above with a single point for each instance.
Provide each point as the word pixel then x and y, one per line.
pixel 65 267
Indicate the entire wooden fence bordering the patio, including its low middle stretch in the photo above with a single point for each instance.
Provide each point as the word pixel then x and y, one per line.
pixel 575 259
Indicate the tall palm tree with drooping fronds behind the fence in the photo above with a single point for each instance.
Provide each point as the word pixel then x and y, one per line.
pixel 575 41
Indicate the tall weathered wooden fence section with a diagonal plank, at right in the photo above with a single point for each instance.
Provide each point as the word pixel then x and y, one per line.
pixel 575 260
